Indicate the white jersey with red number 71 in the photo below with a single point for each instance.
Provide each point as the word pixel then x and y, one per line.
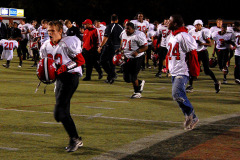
pixel 133 42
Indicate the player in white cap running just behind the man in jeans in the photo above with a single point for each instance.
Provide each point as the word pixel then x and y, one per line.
pixel 202 37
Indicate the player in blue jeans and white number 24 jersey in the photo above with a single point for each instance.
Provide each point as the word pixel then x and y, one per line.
pixel 182 61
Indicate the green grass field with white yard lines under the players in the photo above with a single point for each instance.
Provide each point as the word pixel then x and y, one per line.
pixel 104 115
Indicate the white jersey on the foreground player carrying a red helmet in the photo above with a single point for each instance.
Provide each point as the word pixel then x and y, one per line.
pixel 63 52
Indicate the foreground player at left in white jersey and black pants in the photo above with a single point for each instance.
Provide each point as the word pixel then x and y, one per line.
pixel 68 58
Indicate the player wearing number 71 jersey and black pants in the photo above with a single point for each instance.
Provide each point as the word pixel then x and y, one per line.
pixel 133 45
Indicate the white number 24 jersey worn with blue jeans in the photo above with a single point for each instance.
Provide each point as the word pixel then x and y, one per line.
pixel 178 46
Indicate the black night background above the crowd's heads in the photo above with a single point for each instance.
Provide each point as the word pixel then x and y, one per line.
pixel 79 10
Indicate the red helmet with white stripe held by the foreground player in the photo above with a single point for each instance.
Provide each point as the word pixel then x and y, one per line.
pixel 46 70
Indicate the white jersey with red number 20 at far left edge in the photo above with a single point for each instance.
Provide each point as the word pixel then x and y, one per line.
pixel 8 47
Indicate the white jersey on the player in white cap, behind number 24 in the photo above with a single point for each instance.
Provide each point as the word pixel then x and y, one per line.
pixel 202 36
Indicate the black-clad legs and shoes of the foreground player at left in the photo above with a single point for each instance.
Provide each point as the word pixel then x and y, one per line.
pixel 67 84
